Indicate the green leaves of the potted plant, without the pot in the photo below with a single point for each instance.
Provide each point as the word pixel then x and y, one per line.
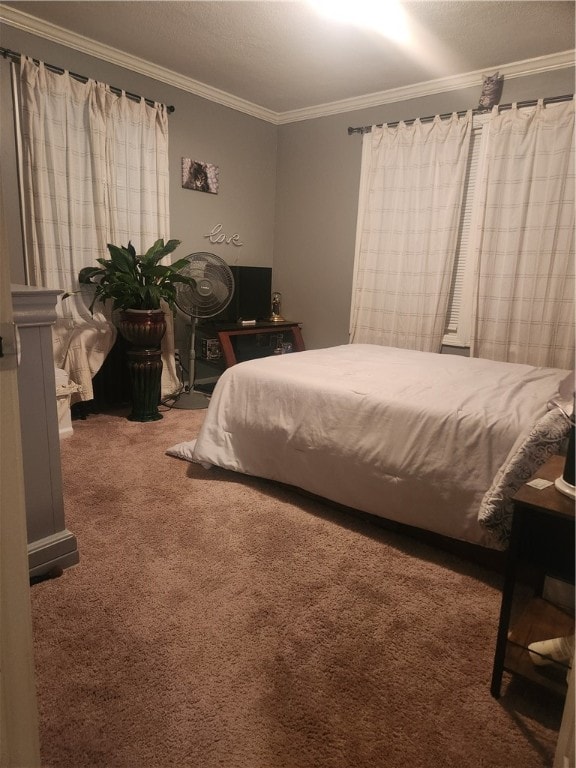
pixel 135 281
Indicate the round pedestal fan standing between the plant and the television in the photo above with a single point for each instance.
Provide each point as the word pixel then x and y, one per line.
pixel 213 292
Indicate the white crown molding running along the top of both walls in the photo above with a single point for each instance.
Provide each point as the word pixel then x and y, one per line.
pixel 35 26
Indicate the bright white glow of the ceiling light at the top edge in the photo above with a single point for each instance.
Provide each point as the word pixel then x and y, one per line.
pixel 384 16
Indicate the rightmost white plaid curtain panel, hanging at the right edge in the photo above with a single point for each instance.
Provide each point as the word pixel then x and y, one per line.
pixel 524 238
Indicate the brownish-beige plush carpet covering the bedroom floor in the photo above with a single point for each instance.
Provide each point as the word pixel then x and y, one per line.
pixel 221 621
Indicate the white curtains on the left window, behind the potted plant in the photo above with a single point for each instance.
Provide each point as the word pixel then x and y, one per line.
pixel 95 171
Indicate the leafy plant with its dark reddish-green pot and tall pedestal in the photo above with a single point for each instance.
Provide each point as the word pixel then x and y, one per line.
pixel 136 285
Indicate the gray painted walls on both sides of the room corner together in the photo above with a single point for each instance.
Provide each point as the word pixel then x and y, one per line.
pixel 290 192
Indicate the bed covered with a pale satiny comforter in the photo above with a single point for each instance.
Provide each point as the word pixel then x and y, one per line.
pixel 428 440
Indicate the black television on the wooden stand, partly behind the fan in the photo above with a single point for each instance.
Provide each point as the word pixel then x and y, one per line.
pixel 252 296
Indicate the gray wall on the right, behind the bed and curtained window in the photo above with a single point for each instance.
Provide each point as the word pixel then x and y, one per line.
pixel 318 175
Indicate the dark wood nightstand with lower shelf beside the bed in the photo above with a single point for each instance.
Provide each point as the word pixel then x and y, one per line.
pixel 542 537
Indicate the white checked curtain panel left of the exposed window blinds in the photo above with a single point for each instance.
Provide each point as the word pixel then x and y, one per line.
pixel 409 211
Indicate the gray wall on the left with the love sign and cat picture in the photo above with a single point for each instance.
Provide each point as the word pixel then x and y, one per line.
pixel 243 147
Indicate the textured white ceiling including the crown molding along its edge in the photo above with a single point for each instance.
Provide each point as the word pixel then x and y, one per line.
pixel 281 60
